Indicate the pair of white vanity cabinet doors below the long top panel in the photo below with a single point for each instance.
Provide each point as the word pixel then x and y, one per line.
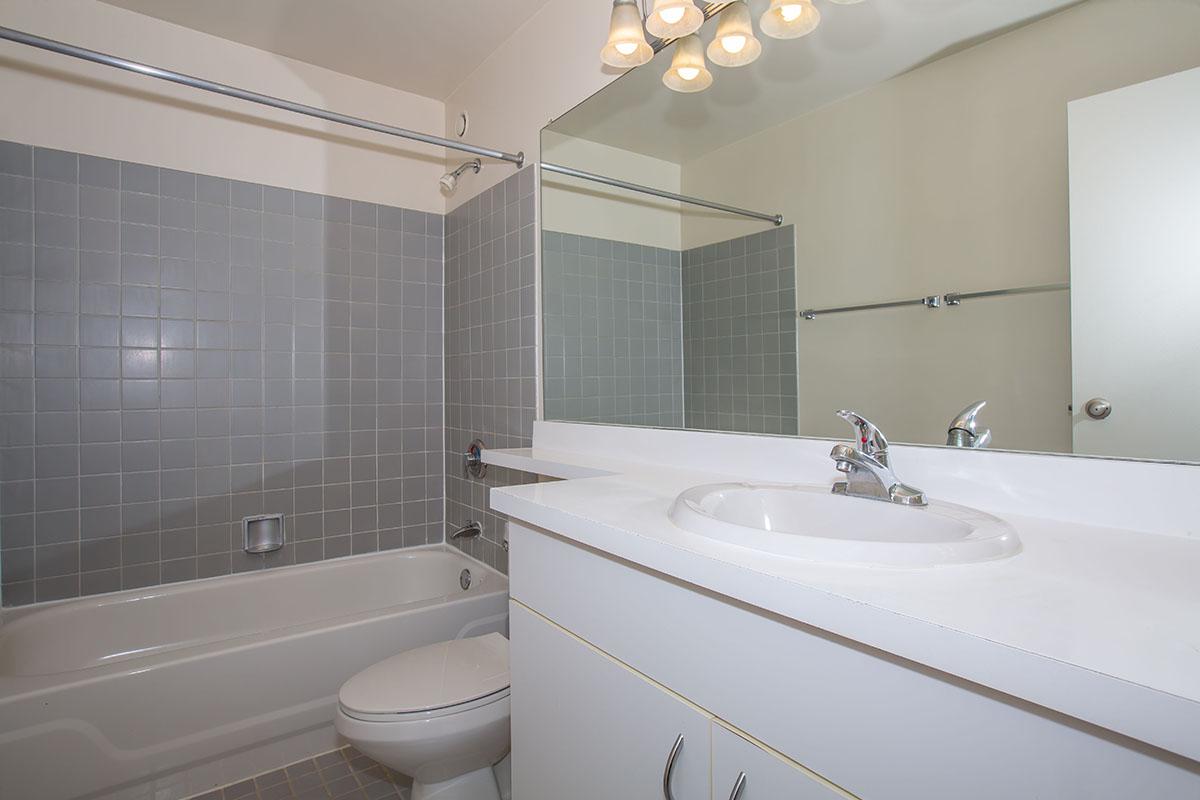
pixel 591 729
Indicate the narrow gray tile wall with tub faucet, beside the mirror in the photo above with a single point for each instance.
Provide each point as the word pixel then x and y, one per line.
pixel 491 364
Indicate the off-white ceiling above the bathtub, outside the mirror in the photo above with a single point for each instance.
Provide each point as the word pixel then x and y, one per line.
pixel 427 49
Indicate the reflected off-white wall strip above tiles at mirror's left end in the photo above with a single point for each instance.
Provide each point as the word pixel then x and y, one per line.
pixel 579 207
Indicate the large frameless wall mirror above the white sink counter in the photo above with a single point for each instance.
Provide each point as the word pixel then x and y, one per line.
pixel 982 201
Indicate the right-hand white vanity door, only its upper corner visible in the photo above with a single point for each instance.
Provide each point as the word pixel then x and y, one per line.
pixel 767 777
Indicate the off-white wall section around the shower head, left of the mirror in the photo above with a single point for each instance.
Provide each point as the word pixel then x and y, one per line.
pixel 549 65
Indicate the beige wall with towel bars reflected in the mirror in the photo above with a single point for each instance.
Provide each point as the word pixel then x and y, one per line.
pixel 951 178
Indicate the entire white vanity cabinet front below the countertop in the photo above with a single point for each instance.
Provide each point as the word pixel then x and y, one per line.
pixel 613 661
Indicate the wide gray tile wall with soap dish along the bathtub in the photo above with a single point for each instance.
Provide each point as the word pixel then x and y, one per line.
pixel 179 351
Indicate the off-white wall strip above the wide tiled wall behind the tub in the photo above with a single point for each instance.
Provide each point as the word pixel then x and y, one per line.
pixel 61 103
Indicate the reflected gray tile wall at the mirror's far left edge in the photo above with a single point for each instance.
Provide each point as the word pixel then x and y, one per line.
pixel 614 340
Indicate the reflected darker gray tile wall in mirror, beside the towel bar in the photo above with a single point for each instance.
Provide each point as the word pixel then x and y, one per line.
pixel 740 334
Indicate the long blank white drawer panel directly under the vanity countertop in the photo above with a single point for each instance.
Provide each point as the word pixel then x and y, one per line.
pixel 878 726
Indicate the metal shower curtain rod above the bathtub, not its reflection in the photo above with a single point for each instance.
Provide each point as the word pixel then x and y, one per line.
pixel 22 38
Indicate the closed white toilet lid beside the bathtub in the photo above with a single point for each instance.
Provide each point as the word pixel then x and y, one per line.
pixel 434 677
